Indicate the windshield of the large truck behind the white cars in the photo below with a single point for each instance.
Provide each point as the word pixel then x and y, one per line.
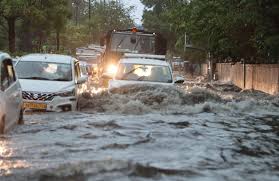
pixel 128 43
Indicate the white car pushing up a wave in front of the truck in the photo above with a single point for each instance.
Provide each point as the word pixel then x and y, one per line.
pixel 141 70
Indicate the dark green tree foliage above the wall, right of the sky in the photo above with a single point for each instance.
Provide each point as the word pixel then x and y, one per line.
pixel 237 29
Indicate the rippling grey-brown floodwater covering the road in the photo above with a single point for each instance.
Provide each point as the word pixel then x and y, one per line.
pixel 191 132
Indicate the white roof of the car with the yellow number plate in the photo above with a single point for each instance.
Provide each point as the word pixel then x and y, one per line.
pixel 54 58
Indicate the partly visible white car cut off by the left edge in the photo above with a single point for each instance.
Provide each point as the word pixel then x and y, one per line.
pixel 10 95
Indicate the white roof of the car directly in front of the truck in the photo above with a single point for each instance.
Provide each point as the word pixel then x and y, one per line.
pixel 144 61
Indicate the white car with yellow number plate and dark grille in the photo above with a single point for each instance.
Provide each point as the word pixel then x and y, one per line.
pixel 50 82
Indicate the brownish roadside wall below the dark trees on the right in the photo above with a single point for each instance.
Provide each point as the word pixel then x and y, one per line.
pixel 262 77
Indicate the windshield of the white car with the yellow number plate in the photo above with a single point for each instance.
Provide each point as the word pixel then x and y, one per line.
pixel 44 71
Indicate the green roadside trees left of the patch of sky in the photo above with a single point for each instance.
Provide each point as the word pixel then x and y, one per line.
pixel 46 25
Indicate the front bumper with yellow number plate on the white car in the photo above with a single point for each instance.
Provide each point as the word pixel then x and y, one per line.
pixel 58 104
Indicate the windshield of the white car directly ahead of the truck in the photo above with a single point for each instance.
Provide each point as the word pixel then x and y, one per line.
pixel 139 72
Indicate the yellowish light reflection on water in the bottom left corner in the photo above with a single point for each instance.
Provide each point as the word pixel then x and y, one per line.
pixel 7 163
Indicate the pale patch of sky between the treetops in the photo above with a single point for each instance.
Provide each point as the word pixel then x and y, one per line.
pixel 137 15
